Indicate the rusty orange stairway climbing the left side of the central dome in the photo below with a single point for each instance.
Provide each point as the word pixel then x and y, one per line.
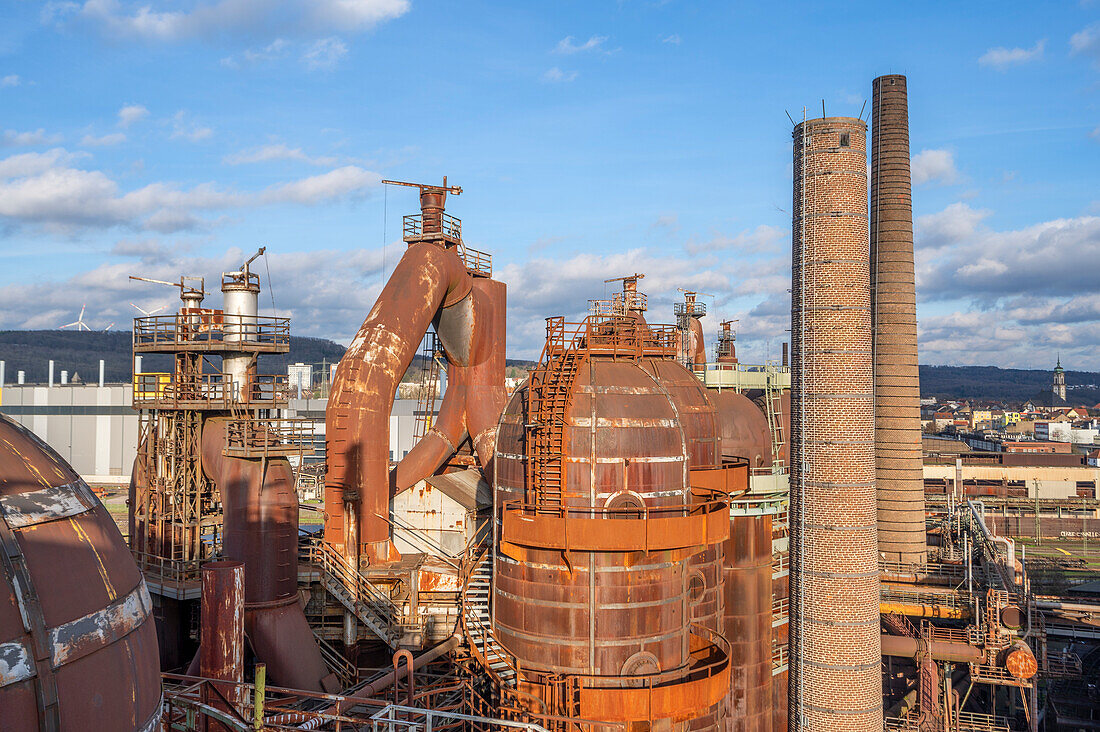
pixel 549 396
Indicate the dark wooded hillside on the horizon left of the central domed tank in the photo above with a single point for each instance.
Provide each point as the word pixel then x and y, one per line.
pixel 80 355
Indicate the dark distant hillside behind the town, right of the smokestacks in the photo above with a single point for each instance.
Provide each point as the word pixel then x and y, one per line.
pixel 993 384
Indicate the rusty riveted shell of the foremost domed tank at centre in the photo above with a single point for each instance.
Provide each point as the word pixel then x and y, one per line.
pixel 624 446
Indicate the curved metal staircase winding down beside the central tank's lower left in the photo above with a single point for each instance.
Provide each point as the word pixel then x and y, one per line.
pixel 477 614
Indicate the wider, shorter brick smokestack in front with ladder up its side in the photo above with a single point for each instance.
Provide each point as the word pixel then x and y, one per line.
pixel 835 650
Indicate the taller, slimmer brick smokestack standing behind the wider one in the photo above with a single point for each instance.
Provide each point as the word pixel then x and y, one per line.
pixel 898 453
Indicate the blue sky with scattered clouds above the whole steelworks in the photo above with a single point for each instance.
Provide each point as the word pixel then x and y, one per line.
pixel 592 140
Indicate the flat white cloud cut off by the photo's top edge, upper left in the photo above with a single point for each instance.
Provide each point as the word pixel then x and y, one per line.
pixel 215 19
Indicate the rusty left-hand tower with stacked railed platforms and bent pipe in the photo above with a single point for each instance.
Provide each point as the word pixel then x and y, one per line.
pixel 213 478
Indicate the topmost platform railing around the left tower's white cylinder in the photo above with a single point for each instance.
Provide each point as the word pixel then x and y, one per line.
pixel 212 331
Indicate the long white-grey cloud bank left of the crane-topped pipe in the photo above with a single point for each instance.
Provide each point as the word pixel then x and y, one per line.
pixel 49 190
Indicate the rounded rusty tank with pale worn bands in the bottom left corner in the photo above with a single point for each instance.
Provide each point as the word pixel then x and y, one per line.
pixel 78 641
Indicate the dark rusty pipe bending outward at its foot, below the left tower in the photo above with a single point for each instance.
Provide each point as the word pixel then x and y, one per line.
pixel 260 528
